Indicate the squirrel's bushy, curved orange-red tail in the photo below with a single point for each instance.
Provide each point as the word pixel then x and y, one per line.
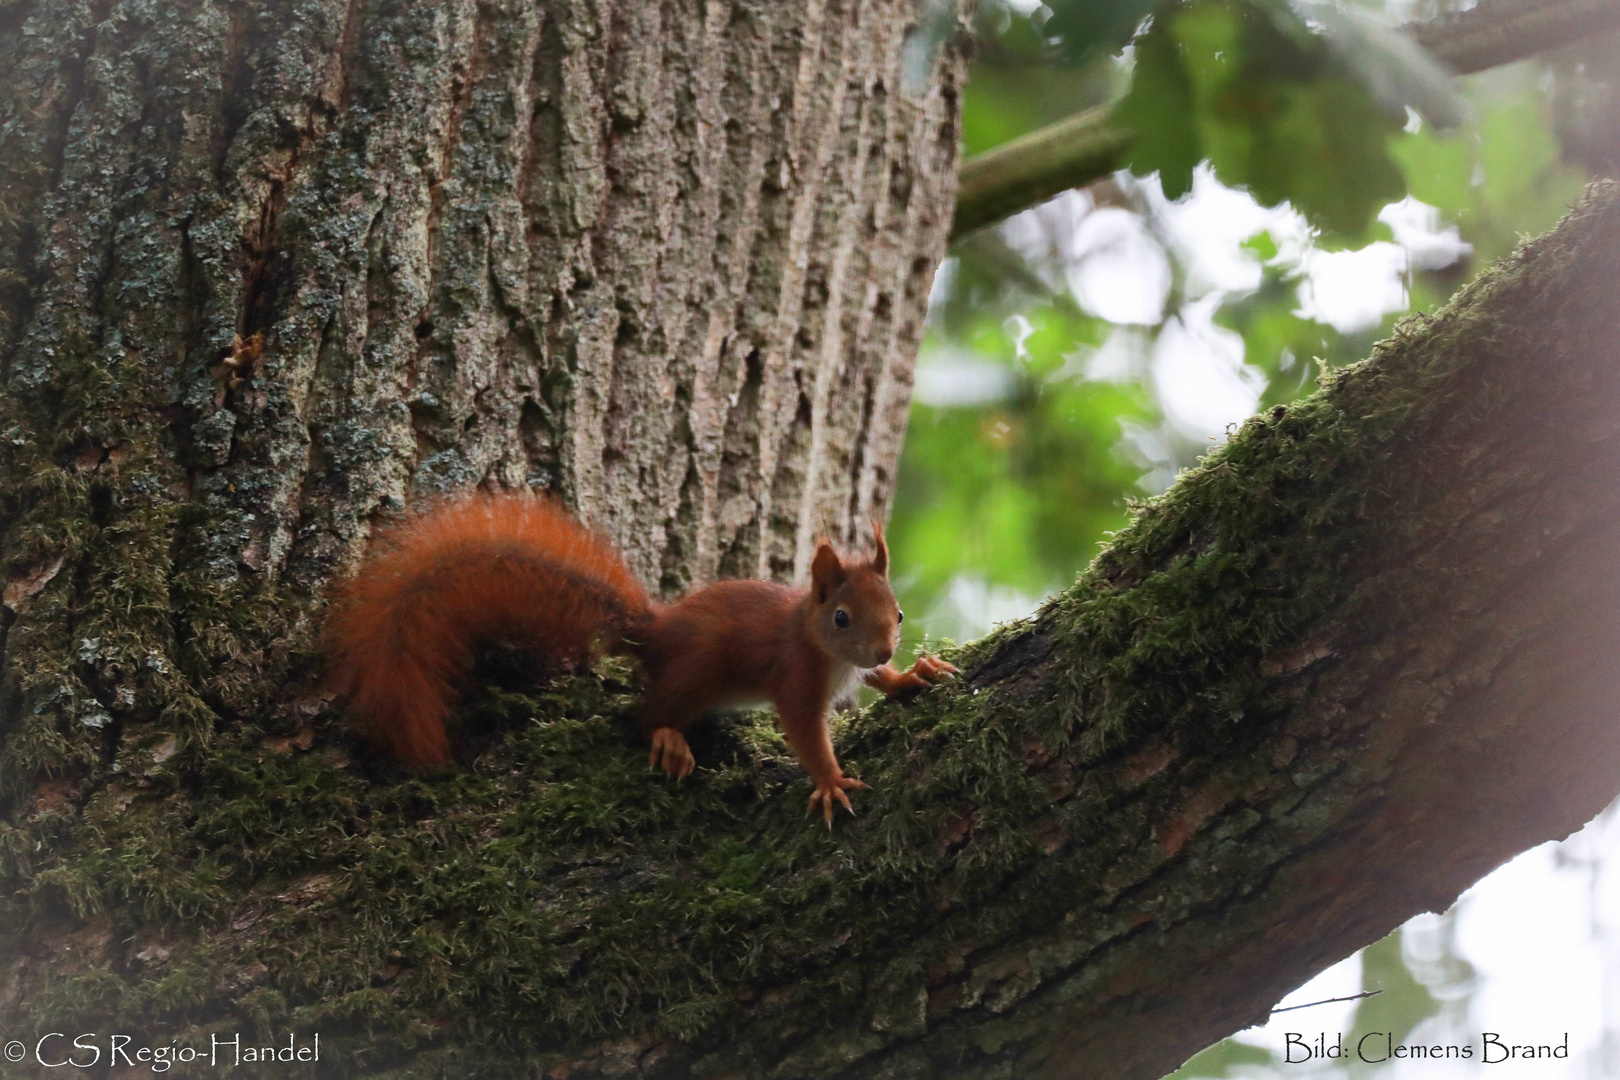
pixel 466 574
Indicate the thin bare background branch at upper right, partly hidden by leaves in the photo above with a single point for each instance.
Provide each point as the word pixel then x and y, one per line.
pixel 1086 148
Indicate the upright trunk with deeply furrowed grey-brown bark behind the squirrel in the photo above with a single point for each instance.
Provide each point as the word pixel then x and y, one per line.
pixel 268 273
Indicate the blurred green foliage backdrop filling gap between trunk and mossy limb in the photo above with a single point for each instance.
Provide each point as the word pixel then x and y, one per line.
pixel 1007 490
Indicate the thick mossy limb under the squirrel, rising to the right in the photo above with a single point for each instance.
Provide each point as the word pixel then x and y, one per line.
pixel 1354 661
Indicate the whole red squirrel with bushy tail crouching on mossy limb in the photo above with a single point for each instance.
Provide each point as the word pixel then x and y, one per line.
pixel 519 569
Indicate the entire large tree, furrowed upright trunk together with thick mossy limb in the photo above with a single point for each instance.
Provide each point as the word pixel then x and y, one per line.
pixel 1339 671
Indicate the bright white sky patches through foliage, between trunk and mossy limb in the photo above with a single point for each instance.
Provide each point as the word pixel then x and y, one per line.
pixel 1120 273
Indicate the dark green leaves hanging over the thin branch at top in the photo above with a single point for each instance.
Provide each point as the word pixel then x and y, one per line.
pixel 1295 104
